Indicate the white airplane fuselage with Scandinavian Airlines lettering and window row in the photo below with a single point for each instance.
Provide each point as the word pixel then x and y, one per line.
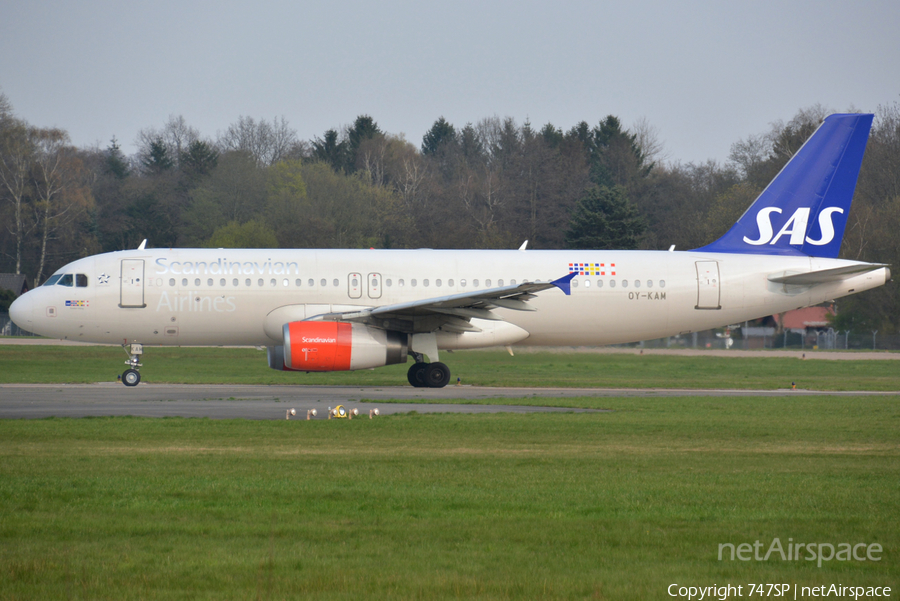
pixel 243 297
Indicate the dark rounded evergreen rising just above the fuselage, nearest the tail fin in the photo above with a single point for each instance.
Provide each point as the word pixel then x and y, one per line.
pixel 604 220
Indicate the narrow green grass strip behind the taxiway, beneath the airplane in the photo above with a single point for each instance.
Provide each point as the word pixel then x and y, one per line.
pixel 52 364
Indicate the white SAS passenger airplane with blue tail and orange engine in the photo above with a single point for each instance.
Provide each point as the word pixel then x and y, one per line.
pixel 336 310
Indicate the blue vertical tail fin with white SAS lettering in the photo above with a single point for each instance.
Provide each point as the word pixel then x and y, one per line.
pixel 804 210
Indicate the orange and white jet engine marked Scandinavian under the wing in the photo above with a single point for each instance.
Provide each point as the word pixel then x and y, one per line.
pixel 336 346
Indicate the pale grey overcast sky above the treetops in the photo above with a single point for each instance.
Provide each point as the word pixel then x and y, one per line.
pixel 704 73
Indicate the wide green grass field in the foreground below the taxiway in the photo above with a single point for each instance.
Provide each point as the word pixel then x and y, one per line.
pixel 602 505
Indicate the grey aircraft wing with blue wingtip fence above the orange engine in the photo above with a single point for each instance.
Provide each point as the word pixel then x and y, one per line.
pixel 449 313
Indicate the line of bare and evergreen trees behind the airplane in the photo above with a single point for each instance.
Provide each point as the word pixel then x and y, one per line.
pixel 491 184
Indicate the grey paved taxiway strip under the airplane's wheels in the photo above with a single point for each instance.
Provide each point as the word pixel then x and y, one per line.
pixel 225 401
